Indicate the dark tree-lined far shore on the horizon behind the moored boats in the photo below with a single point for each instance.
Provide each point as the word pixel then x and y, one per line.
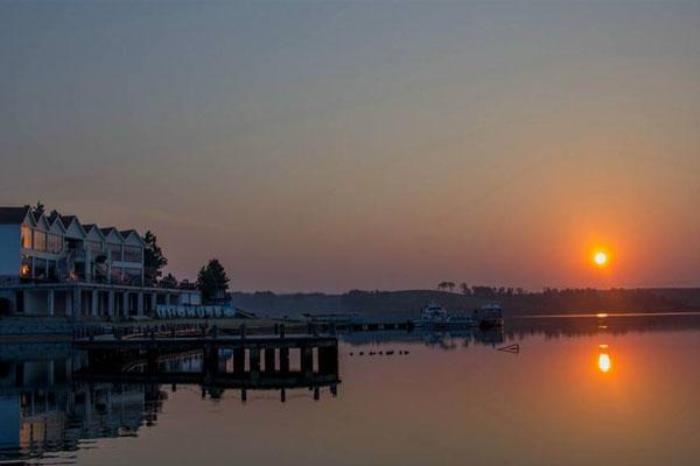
pixel 408 303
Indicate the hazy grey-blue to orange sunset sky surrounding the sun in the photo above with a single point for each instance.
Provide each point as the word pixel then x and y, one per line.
pixel 375 145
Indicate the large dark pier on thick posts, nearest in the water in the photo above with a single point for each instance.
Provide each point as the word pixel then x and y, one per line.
pixel 227 362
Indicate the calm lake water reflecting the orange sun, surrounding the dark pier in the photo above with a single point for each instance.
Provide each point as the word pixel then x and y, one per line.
pixel 587 390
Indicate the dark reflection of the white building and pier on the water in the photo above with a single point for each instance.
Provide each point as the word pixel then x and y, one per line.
pixel 61 404
